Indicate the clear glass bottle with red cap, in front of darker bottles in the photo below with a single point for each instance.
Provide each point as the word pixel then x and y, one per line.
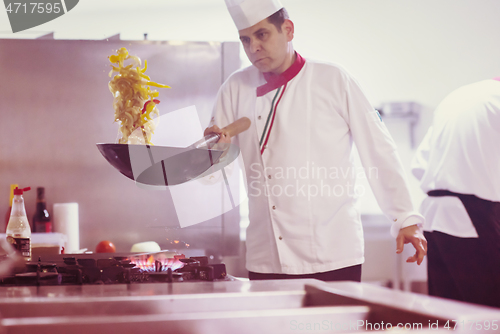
pixel 18 229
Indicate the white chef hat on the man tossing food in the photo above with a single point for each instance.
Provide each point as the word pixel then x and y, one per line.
pixel 246 13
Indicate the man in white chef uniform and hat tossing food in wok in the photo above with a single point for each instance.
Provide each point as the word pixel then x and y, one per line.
pixel 305 116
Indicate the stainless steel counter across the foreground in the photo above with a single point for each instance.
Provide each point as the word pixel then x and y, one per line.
pixel 279 306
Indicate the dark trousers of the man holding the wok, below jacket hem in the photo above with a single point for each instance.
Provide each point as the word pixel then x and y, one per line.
pixel 344 274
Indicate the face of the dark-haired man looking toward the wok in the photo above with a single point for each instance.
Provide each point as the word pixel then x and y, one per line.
pixel 267 48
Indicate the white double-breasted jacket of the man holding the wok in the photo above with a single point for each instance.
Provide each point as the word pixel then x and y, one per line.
pixel 303 217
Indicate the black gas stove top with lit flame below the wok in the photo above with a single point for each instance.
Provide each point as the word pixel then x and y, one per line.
pixel 142 268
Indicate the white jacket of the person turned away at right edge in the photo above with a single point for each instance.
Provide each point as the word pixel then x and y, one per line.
pixel 460 153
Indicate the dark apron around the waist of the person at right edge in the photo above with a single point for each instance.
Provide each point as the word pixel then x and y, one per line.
pixel 467 269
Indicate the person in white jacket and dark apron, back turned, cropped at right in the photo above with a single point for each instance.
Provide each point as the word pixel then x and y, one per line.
pixel 458 165
